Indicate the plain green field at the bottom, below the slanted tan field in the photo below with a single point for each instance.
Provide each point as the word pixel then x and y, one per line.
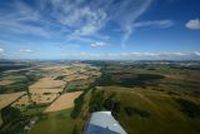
pixel 54 123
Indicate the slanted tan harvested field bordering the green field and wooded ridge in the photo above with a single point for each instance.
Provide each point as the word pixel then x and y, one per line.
pixel 63 102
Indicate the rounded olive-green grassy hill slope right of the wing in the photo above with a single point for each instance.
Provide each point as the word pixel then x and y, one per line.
pixel 164 114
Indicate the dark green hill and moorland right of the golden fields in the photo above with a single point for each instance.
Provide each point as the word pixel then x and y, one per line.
pixel 145 99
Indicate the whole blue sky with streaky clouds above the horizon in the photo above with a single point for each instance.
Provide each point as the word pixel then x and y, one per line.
pixel 100 29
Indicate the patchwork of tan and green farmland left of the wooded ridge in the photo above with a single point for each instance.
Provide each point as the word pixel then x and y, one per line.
pixel 43 88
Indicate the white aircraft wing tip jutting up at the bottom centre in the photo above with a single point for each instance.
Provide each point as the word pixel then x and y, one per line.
pixel 103 123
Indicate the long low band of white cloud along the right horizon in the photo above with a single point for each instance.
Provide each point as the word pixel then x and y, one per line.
pixel 138 55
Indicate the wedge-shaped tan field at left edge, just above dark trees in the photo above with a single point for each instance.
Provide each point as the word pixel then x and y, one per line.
pixel 7 99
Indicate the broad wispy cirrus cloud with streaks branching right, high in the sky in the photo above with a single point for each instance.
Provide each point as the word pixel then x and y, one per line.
pixel 76 20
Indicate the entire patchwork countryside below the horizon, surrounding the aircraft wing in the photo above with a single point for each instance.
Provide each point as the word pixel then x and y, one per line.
pixel 59 98
